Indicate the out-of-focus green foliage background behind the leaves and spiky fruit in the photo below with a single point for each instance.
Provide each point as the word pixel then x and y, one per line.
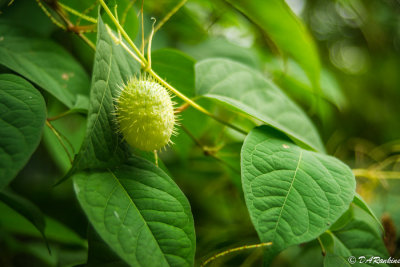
pixel 356 112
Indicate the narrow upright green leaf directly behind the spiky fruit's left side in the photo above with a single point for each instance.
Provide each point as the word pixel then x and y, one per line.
pixel 102 146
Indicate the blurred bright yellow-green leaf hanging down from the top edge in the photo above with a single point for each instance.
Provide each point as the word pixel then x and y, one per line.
pixel 286 30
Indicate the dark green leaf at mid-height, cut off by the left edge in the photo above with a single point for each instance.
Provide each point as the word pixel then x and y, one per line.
pixel 22 116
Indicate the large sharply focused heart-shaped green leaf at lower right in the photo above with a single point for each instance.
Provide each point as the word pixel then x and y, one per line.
pixel 293 195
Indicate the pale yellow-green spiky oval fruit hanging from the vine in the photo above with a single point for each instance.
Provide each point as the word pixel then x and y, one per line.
pixel 145 114
